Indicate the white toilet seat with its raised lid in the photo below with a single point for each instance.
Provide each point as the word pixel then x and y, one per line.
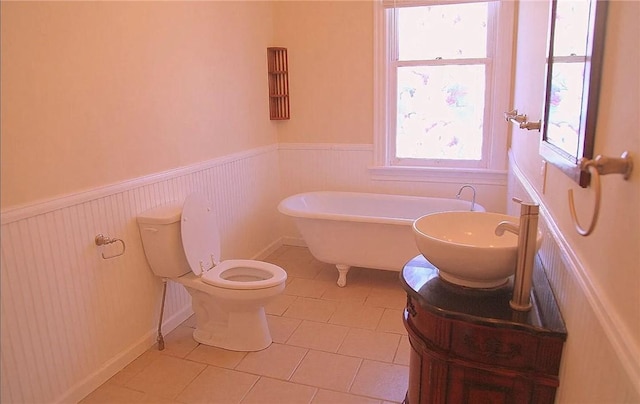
pixel 201 245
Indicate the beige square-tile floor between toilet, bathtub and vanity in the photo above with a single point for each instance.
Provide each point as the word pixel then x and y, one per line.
pixel 330 345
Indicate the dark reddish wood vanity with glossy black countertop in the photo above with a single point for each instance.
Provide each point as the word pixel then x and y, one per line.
pixel 469 346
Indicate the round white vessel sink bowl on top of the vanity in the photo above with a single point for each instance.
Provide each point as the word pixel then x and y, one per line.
pixel 466 250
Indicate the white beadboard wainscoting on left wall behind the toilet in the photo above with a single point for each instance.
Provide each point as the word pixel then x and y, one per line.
pixel 71 319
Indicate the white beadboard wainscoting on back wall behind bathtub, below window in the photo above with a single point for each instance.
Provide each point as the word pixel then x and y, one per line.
pixel 306 167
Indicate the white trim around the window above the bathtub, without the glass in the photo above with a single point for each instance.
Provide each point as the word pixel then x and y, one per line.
pixel 501 99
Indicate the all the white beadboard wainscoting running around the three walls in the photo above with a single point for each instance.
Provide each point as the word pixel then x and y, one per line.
pixel 70 319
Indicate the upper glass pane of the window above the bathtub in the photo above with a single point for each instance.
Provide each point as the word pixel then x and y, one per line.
pixel 449 31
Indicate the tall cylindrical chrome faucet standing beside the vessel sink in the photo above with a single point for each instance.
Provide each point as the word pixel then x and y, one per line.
pixel 527 232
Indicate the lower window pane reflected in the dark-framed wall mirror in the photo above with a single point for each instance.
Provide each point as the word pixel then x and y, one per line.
pixel 565 106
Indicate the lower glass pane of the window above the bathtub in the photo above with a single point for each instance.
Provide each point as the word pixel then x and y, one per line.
pixel 440 112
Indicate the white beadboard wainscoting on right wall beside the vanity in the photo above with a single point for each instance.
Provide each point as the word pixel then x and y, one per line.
pixel 599 362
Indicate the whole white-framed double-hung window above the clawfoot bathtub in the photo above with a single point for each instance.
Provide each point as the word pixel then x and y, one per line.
pixel 443 82
